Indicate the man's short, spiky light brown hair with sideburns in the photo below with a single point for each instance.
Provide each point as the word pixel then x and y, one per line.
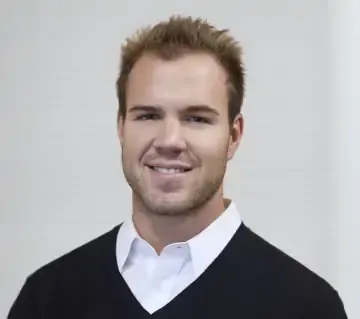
pixel 179 35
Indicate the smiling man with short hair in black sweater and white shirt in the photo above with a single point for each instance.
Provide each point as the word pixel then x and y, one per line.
pixel 185 253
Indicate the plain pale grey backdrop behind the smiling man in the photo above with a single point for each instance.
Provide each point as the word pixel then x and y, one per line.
pixel 61 177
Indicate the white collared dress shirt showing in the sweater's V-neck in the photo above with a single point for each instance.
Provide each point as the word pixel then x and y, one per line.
pixel 156 279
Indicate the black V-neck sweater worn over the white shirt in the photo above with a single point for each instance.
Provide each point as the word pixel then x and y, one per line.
pixel 249 279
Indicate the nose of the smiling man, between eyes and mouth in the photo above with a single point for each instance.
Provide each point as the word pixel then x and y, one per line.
pixel 169 138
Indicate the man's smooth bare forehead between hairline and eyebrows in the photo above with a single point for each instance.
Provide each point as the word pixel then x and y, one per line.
pixel 195 78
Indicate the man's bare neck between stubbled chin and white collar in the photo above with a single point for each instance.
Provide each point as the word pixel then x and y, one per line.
pixel 162 230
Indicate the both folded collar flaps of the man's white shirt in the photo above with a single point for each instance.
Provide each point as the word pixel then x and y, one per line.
pixel 204 247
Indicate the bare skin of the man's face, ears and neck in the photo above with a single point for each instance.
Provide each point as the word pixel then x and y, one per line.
pixel 177 116
